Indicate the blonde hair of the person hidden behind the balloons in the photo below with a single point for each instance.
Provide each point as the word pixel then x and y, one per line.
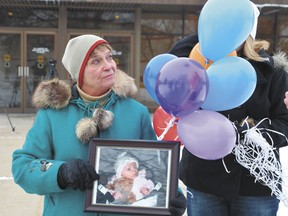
pixel 252 47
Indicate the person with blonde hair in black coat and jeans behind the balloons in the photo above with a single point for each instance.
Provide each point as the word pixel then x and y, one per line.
pixel 218 190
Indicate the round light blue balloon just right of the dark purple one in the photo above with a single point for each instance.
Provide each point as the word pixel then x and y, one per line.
pixel 232 81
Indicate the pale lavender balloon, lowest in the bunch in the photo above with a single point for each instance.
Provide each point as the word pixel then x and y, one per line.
pixel 207 134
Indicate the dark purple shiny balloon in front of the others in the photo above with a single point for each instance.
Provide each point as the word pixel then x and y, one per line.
pixel 181 86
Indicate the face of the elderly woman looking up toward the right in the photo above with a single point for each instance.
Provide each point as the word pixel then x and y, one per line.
pixel 99 73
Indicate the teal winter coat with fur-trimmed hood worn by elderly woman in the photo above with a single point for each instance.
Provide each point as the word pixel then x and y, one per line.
pixel 52 139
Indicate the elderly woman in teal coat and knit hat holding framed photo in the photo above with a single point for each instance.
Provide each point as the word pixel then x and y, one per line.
pixel 53 159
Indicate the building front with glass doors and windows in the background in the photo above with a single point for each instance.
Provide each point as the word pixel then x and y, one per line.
pixel 34 33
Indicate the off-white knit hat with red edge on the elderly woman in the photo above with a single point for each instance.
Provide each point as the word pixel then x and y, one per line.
pixel 77 53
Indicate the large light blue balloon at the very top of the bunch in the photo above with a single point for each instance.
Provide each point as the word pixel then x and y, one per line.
pixel 223 26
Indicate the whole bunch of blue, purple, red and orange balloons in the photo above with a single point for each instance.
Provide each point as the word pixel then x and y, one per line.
pixel 213 78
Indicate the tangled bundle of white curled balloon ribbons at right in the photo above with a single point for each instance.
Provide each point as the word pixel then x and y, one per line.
pixel 258 156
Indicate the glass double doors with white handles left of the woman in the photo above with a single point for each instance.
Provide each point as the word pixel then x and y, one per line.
pixel 27 58
